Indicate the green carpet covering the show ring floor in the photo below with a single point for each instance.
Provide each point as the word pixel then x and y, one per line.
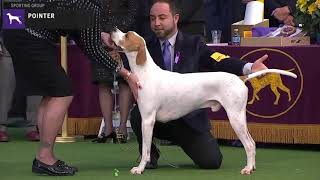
pixel 98 161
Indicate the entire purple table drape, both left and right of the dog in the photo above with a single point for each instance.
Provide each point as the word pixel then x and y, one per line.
pixel 277 99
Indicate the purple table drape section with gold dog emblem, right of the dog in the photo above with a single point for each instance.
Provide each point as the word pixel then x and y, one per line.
pixel 281 99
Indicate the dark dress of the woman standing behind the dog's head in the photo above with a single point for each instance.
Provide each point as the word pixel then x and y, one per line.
pixel 119 13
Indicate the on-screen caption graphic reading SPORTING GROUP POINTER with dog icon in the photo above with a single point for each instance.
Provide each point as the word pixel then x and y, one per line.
pixel 21 14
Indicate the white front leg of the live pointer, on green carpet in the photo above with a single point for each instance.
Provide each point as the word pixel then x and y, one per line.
pixel 147 130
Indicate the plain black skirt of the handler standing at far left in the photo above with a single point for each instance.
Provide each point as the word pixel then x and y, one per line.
pixel 36 65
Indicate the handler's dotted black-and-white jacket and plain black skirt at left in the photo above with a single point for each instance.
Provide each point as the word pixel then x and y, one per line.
pixel 35 56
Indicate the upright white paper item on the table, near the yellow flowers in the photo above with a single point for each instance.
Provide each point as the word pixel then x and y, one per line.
pixel 254 13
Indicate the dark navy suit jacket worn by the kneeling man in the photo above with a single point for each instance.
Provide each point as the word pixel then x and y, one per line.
pixel 194 57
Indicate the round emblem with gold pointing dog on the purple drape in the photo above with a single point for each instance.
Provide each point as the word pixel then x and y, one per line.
pixel 273 95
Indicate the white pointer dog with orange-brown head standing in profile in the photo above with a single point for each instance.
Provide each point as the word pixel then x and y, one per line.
pixel 169 95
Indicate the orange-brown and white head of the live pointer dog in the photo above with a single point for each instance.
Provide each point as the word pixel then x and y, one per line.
pixel 131 42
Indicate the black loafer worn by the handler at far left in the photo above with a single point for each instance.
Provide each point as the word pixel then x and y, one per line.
pixel 57 169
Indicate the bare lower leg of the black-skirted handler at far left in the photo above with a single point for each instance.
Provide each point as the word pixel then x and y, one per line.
pixel 51 114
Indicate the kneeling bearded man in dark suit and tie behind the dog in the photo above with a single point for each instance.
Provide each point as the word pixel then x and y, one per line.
pixel 188 54
